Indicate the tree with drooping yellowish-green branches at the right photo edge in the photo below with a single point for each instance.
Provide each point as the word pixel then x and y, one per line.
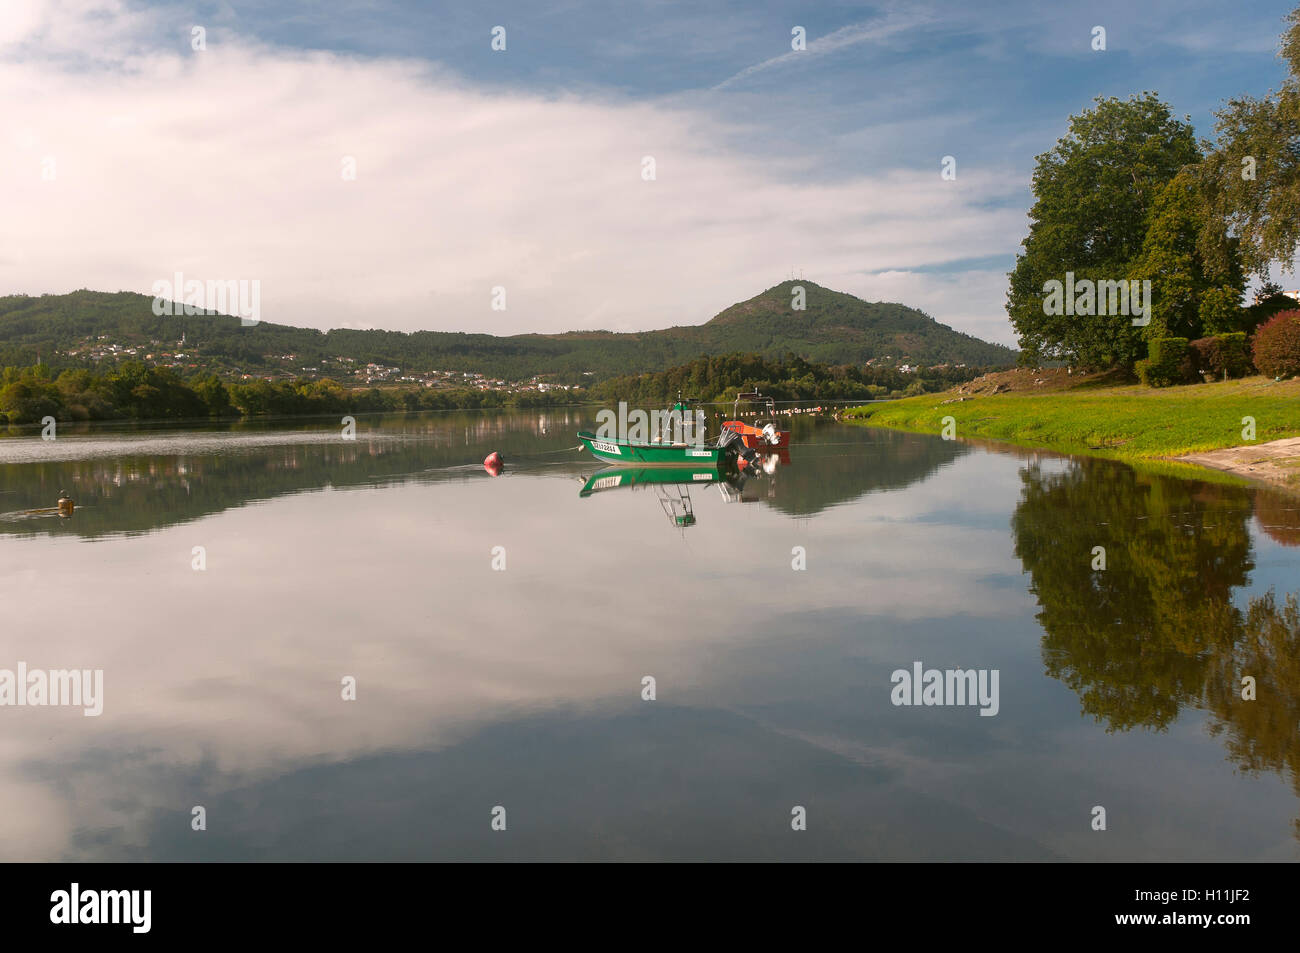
pixel 1253 174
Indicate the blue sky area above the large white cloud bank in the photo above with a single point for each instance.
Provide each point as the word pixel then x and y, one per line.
pixel 994 81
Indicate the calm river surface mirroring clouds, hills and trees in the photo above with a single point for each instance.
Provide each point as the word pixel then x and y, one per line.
pixel 523 687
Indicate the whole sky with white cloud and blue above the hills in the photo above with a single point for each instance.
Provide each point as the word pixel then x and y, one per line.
pixel 129 155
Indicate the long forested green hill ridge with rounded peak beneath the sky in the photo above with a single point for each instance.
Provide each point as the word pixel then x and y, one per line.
pixel 835 328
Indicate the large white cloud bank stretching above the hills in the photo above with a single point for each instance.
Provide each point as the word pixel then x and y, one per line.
pixel 227 164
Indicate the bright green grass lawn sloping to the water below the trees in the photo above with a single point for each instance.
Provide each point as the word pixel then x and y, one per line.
pixel 1132 423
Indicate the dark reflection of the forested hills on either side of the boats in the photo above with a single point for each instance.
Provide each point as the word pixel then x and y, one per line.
pixel 137 484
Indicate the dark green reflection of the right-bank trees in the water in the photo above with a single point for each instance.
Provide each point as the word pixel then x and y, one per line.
pixel 1158 630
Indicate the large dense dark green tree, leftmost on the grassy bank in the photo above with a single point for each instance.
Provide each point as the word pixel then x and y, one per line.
pixel 1094 194
